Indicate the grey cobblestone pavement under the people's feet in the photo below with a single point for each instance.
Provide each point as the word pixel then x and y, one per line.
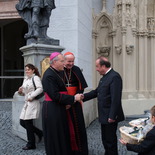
pixel 11 144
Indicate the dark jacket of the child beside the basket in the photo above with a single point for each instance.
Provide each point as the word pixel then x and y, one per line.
pixel 146 147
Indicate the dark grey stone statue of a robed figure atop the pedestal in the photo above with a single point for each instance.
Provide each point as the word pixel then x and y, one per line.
pixel 37 15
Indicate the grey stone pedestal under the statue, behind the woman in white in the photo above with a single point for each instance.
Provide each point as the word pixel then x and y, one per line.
pixel 35 54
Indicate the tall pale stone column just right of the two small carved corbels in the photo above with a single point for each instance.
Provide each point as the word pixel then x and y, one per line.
pixel 142 50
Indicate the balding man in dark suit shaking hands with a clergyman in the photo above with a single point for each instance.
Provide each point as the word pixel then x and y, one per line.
pixel 108 93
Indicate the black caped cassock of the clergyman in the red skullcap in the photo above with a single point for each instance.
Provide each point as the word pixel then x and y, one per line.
pixel 76 112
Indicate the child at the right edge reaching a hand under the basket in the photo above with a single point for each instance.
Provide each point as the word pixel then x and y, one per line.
pixel 147 146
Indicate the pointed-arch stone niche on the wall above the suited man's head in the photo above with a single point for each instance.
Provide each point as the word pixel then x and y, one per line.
pixel 102 38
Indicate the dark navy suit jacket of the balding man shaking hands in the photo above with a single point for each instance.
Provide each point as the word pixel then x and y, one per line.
pixel 108 93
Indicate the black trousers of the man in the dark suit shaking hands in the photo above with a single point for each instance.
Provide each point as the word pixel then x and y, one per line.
pixel 109 138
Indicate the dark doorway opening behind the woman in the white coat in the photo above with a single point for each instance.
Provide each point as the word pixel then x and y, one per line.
pixel 11 61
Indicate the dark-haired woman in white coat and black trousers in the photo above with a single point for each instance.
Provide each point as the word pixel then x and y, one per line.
pixel 31 107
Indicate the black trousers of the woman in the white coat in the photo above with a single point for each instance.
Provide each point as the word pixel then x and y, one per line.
pixel 31 131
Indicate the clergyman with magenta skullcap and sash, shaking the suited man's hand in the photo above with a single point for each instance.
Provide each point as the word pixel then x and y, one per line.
pixel 54 116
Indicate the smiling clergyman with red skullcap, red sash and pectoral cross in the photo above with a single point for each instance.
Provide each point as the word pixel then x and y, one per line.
pixel 75 83
